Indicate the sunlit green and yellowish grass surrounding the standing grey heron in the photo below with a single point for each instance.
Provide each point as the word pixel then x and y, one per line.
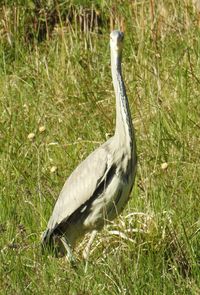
pixel 64 85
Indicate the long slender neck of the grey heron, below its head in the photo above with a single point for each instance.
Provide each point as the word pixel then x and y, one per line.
pixel 124 129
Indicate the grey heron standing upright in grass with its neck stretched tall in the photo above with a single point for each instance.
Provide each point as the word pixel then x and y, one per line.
pixel 98 189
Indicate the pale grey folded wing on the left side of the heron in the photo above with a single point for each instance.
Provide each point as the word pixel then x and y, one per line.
pixel 80 185
